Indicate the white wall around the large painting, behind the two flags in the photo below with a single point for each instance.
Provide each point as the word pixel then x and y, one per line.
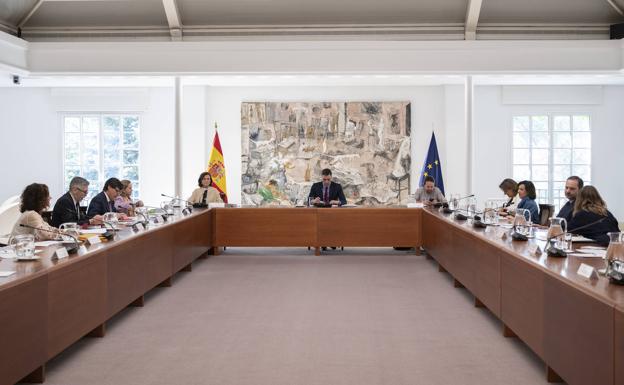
pixel 433 108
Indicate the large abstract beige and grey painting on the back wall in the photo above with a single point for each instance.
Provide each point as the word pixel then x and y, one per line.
pixel 285 145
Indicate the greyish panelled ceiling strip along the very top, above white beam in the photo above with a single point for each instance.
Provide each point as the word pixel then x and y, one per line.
pixel 417 19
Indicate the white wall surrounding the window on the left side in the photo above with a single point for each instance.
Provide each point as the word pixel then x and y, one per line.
pixel 31 135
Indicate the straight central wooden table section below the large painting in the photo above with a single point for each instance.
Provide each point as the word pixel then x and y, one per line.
pixel 316 227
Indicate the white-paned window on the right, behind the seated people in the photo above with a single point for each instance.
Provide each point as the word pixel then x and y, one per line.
pixel 547 149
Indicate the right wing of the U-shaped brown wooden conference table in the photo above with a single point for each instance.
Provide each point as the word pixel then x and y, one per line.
pixel 568 321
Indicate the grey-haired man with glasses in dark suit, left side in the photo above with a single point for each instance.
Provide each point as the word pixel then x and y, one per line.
pixel 67 207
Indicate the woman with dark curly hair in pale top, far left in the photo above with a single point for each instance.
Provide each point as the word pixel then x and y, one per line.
pixel 34 200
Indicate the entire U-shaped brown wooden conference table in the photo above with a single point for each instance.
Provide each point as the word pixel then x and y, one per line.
pixel 575 325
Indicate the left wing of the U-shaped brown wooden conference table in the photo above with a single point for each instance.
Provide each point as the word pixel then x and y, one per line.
pixel 50 304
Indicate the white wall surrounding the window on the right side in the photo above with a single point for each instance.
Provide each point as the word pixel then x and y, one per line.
pixel 492 130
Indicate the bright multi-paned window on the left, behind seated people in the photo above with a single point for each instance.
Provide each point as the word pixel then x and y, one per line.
pixel 98 147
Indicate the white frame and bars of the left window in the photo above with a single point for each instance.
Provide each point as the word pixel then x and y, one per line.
pixel 100 115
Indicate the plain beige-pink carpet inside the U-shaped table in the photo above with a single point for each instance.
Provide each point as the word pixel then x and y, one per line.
pixel 284 316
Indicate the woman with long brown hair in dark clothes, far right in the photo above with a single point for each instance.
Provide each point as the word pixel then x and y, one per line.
pixel 591 211
